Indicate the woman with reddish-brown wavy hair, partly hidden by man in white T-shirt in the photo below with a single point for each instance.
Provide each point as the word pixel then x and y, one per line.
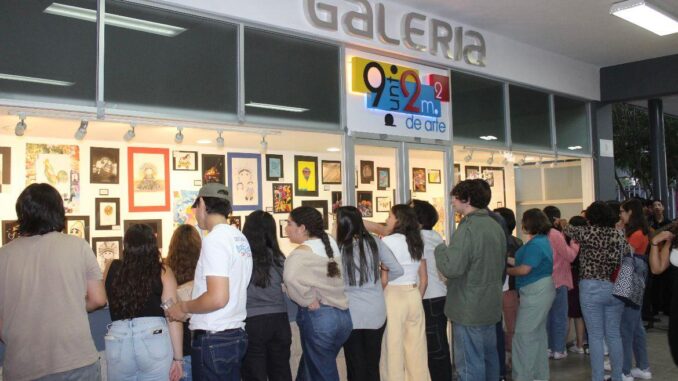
pixel 182 258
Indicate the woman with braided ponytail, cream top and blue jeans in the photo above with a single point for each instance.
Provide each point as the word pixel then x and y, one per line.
pixel 313 279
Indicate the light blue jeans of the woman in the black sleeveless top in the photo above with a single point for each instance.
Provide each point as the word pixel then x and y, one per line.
pixel 138 349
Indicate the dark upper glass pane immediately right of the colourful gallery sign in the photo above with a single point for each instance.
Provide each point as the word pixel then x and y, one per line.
pixel 477 109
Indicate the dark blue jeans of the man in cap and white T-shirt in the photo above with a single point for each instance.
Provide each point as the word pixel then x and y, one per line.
pixel 217 356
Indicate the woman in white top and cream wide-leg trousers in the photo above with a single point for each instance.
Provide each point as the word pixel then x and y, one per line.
pixel 405 336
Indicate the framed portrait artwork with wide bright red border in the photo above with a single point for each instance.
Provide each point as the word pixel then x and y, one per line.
pixel 148 179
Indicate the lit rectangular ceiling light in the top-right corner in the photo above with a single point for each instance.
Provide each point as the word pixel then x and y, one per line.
pixel 646 15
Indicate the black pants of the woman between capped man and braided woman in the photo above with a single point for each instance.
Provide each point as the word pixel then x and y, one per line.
pixel 268 350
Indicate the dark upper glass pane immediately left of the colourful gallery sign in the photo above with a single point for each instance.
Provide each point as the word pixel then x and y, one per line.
pixel 289 80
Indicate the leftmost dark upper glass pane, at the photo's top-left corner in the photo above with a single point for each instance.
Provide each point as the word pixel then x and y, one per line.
pixel 46 56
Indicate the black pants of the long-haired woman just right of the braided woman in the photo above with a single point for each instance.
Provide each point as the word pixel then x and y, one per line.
pixel 362 351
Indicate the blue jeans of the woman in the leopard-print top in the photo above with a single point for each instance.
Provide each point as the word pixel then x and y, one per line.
pixel 602 315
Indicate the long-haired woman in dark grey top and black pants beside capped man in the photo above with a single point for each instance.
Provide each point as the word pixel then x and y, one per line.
pixel 267 324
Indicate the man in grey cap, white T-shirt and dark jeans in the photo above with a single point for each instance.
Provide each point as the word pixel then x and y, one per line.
pixel 219 301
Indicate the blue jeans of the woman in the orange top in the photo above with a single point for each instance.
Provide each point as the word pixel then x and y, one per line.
pixel 633 340
